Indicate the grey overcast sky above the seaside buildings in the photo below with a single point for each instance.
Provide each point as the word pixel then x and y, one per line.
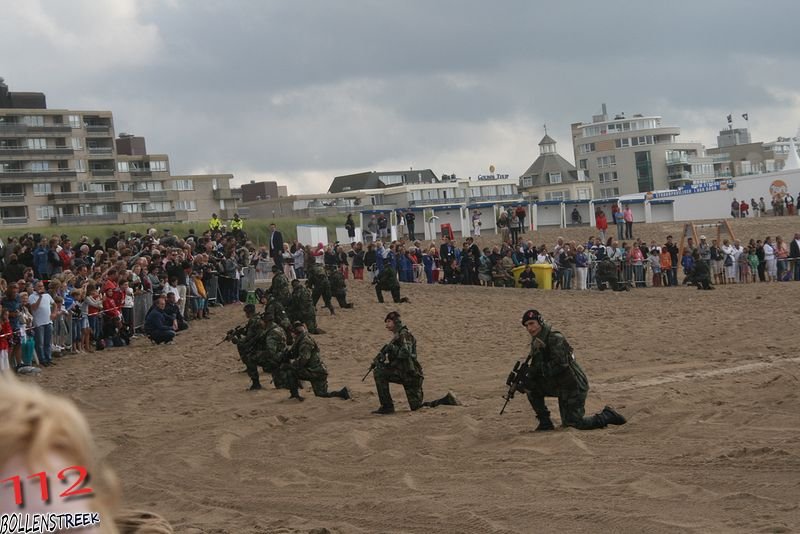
pixel 301 91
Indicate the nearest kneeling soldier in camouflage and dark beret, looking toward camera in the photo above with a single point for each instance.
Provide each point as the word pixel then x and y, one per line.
pixel 553 372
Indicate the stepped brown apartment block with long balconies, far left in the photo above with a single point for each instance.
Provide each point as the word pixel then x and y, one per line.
pixel 61 166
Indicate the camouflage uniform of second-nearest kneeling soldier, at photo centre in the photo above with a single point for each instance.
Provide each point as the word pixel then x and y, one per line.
pixel 397 363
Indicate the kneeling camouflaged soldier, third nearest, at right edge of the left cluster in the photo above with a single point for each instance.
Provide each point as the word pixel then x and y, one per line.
pixel 305 364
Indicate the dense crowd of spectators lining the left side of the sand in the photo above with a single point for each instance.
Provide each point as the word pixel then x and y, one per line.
pixel 63 296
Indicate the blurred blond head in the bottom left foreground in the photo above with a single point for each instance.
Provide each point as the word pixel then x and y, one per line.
pixel 40 431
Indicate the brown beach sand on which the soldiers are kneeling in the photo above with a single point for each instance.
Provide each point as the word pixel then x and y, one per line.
pixel 707 379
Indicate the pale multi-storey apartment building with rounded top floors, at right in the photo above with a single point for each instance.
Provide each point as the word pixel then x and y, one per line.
pixel 626 155
